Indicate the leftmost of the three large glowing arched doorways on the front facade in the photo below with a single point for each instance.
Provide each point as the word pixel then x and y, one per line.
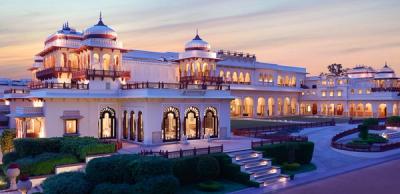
pixel 170 126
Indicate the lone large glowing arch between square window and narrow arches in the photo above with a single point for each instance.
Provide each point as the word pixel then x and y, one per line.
pixel 107 123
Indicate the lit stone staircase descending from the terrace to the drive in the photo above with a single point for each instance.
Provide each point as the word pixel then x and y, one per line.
pixel 259 168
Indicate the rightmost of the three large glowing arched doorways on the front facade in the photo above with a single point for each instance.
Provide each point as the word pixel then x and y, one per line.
pixel 211 122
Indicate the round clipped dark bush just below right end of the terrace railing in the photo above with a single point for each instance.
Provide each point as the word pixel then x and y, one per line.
pixel 208 168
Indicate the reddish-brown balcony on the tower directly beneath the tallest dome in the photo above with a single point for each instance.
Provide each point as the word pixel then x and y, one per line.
pixel 92 74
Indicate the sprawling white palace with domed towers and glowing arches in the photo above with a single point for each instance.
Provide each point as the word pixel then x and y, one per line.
pixel 88 84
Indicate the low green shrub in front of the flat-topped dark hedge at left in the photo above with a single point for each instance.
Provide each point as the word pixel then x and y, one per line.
pixel 44 163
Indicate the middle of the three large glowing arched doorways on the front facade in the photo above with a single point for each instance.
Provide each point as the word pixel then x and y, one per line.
pixel 192 123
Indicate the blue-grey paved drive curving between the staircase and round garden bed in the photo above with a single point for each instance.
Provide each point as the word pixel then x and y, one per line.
pixel 329 161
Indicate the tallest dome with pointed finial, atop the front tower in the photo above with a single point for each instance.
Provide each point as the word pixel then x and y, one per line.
pixel 100 30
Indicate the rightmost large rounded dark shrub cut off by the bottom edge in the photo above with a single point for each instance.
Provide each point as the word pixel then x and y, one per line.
pixel 166 184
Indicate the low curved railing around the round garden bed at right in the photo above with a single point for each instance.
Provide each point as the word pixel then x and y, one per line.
pixel 361 148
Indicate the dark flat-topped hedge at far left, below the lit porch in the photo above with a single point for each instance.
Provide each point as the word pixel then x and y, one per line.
pixel 35 146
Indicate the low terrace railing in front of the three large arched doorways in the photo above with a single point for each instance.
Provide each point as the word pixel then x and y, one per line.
pixel 185 153
